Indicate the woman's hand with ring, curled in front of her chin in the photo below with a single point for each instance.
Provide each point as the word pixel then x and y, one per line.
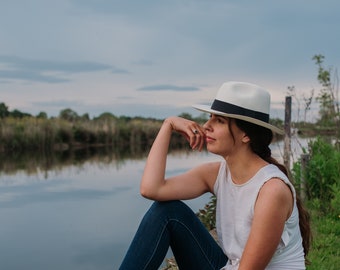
pixel 193 132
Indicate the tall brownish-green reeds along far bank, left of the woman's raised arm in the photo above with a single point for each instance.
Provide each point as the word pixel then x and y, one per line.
pixel 46 135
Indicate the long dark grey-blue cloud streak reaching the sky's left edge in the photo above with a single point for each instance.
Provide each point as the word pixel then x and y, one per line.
pixel 13 67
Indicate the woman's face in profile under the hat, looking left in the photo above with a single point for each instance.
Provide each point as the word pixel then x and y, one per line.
pixel 223 137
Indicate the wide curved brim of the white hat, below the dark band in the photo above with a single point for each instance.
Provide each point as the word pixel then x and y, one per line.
pixel 207 109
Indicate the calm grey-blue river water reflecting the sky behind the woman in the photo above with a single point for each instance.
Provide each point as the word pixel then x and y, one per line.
pixel 77 216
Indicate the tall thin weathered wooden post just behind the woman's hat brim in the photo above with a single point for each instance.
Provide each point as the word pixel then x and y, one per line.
pixel 287 137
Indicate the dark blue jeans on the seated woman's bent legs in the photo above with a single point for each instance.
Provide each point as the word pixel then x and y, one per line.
pixel 173 224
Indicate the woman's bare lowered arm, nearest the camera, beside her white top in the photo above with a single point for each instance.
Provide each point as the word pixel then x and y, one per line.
pixel 273 207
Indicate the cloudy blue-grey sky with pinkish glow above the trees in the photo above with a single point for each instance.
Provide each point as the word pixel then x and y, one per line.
pixel 155 58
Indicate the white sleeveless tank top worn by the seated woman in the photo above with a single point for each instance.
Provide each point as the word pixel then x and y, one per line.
pixel 234 215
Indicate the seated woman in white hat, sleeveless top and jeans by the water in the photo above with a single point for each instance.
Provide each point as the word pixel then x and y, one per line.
pixel 257 212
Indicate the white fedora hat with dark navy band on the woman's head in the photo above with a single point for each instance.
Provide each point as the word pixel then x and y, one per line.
pixel 244 101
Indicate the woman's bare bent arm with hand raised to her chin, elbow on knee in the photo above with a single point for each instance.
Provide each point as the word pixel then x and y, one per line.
pixel 188 185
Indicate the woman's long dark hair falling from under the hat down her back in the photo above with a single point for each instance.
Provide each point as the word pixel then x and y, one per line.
pixel 260 139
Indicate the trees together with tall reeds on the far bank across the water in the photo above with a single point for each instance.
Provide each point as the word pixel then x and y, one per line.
pixel 21 131
